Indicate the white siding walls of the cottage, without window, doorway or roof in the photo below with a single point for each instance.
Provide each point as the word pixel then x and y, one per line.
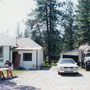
pixel 7 54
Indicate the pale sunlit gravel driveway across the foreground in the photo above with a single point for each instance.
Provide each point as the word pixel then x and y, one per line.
pixel 48 79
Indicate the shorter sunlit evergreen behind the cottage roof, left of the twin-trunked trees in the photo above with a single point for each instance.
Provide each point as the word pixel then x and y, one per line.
pixel 34 28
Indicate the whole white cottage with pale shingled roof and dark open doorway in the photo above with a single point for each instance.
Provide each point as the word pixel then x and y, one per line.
pixel 22 52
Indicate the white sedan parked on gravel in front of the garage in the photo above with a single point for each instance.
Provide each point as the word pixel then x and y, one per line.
pixel 67 65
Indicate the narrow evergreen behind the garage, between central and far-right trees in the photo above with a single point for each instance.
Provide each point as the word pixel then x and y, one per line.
pixel 69 28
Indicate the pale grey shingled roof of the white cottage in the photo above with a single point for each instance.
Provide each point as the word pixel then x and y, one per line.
pixel 21 43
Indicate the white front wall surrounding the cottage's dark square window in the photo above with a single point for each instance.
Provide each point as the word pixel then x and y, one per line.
pixel 28 64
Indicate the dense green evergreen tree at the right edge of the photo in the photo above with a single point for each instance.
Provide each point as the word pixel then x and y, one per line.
pixel 83 22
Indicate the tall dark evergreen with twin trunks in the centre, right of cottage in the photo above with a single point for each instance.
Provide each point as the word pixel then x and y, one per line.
pixel 46 28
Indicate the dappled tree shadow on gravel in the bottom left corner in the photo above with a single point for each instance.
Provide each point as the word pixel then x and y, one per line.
pixel 9 85
